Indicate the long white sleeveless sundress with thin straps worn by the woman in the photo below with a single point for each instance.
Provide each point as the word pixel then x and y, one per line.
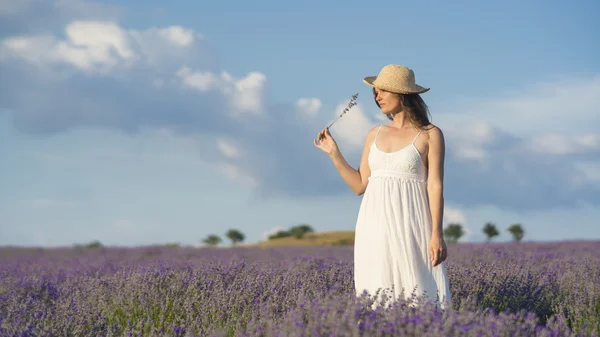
pixel 393 229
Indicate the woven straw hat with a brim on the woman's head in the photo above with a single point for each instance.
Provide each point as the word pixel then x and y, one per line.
pixel 396 78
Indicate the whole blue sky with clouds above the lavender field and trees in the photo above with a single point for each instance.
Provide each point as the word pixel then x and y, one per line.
pixel 143 122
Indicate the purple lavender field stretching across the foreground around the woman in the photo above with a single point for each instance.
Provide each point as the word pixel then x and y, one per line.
pixel 499 289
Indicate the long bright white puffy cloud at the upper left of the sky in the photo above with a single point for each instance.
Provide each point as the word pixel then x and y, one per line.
pixel 94 46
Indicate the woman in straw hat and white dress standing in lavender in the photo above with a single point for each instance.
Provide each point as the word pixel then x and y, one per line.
pixel 399 246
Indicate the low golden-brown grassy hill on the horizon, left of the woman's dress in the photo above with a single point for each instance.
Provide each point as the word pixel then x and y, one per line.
pixel 333 238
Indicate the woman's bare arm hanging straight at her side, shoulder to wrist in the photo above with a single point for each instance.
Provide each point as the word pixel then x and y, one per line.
pixel 435 184
